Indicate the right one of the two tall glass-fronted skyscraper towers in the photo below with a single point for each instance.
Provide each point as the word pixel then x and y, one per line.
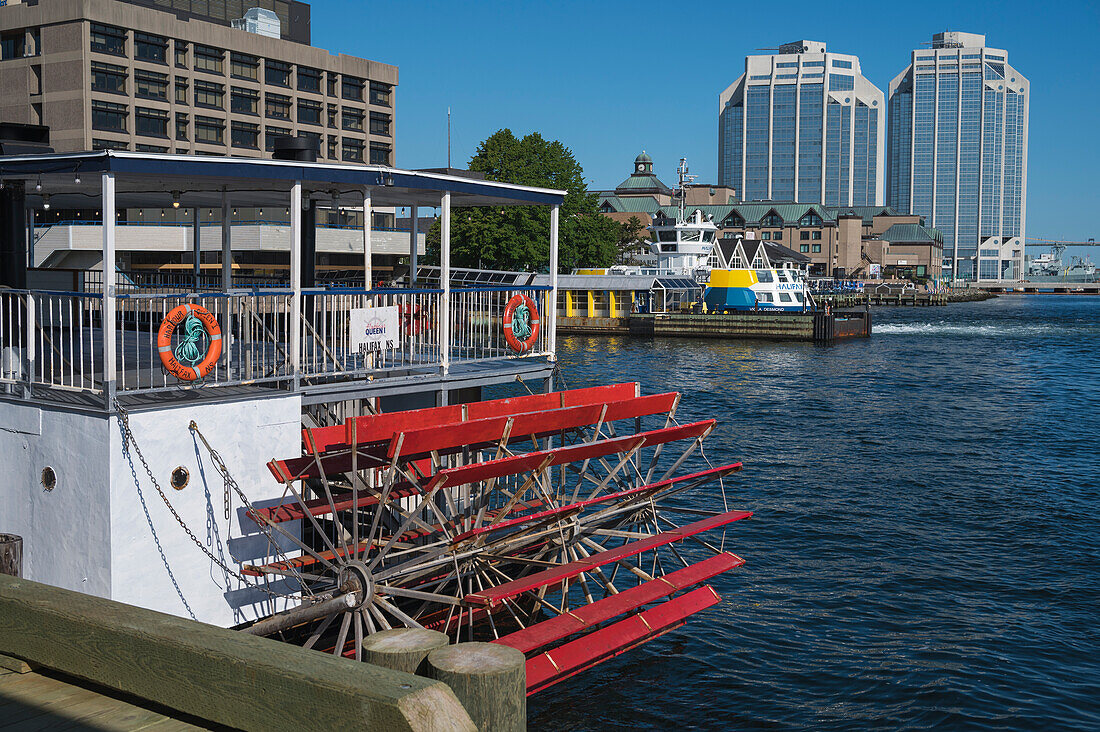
pixel 959 154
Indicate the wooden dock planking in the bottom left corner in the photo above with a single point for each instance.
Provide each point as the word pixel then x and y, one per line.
pixel 48 701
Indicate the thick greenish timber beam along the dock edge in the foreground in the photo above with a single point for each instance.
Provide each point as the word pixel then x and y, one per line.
pixel 215 674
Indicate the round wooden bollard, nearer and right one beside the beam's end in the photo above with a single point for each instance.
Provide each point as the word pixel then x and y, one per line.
pixel 490 681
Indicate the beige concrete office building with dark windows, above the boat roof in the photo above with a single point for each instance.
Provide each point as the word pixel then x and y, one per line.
pixel 148 78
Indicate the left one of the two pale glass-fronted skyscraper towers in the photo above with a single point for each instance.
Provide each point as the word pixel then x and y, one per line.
pixel 804 126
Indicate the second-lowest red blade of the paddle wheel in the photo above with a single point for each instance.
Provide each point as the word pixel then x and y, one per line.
pixel 584 618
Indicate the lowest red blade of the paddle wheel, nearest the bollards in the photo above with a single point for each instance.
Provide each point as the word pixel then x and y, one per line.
pixel 553 667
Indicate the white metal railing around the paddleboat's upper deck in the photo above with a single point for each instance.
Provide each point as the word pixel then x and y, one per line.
pixel 54 341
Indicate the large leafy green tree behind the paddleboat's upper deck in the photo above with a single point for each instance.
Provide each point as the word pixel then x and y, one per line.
pixel 519 237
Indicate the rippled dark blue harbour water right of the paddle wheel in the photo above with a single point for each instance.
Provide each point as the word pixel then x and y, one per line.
pixel 926 551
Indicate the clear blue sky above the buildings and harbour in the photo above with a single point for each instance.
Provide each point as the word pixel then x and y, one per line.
pixel 610 80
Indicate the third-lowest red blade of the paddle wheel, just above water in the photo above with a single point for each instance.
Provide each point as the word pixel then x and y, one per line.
pixel 563 574
